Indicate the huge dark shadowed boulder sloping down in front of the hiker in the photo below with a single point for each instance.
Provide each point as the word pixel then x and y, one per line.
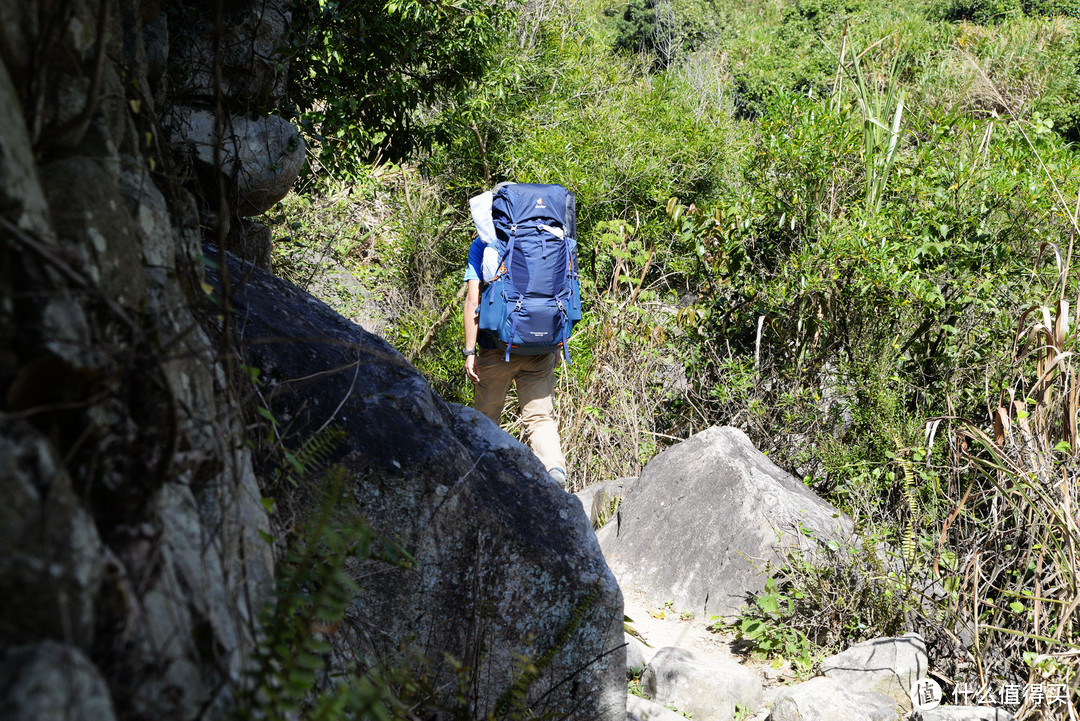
pixel 508 578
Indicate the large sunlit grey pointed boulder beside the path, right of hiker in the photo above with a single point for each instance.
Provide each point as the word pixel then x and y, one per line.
pixel 704 520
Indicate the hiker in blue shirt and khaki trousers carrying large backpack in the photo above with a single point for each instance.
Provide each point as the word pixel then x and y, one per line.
pixel 520 237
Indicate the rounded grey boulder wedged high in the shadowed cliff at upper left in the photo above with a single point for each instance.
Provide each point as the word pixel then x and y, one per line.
pixel 261 157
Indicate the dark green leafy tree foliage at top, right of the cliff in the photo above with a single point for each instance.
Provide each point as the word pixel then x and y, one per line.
pixel 364 73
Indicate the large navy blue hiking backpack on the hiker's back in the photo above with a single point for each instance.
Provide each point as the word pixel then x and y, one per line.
pixel 532 297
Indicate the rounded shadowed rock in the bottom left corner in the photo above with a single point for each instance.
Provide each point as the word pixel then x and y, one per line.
pixel 50 681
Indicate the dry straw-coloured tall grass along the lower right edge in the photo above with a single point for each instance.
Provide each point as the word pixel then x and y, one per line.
pixel 1016 532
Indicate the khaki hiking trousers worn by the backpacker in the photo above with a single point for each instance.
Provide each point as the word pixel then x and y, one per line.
pixel 535 376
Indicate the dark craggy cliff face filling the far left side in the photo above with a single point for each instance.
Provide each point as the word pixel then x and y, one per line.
pixel 133 566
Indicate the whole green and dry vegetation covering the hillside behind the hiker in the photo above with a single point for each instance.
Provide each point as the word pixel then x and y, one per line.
pixel 844 226
